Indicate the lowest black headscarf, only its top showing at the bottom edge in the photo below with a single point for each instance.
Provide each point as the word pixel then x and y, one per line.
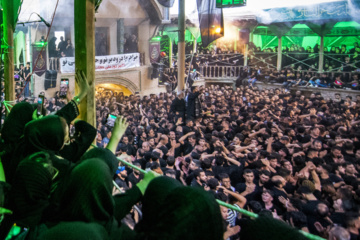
pixel 75 231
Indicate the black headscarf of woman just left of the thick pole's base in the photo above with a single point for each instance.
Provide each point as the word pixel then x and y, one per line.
pixel 45 134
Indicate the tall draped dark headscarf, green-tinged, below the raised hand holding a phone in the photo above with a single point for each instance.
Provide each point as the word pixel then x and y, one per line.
pixel 87 197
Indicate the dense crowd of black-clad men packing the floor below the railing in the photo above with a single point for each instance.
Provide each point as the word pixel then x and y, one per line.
pixel 292 157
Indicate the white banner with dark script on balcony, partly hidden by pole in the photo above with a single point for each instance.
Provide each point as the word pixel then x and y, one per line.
pixel 102 63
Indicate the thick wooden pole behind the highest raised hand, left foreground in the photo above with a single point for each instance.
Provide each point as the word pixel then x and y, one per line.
pixel 85 54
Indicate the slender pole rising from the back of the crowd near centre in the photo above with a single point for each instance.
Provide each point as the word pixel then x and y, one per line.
pixel 181 46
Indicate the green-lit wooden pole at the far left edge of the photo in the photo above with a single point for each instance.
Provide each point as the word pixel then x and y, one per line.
pixel 9 26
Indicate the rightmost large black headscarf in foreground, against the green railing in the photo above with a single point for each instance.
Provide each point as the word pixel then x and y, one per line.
pixel 185 213
